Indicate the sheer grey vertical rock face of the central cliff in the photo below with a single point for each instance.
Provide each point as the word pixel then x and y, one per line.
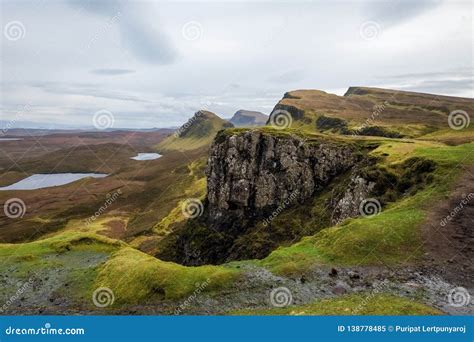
pixel 251 173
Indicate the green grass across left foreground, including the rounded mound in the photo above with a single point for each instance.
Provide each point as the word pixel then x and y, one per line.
pixel 134 277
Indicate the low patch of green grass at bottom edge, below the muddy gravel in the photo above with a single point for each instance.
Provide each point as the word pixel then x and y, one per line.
pixel 379 304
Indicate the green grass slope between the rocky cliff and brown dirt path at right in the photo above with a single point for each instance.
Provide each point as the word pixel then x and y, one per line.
pixel 391 237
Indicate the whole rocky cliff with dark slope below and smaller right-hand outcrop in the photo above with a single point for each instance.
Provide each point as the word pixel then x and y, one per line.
pixel 267 188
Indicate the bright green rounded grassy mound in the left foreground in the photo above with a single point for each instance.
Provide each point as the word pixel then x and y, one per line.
pixel 135 277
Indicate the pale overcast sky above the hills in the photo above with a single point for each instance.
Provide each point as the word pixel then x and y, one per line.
pixel 153 63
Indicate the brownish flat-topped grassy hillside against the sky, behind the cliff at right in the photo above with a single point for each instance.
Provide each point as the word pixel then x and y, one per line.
pixel 406 113
